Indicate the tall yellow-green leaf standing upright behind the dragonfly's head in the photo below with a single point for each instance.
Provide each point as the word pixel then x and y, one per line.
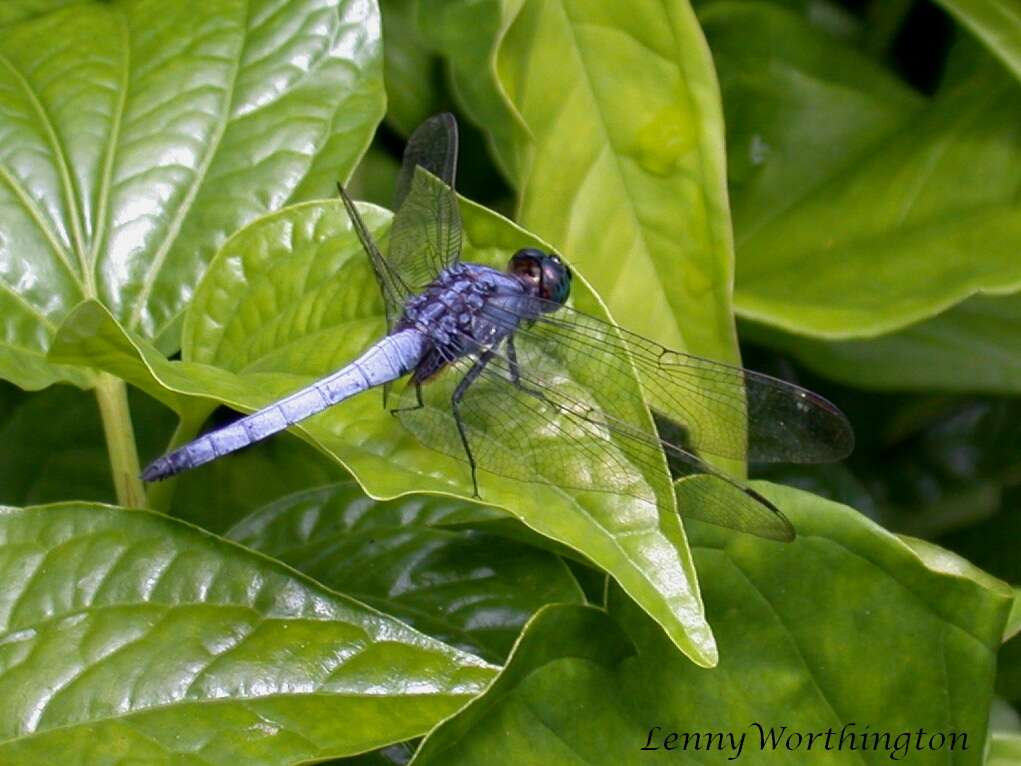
pixel 626 175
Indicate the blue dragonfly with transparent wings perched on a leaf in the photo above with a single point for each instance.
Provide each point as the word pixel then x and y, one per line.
pixel 505 375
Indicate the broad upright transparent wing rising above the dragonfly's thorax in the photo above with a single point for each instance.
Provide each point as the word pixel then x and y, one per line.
pixel 426 235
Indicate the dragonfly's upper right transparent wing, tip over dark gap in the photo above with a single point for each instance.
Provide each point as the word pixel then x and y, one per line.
pixel 707 407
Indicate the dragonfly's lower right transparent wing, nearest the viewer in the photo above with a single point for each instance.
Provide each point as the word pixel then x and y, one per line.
pixel 537 416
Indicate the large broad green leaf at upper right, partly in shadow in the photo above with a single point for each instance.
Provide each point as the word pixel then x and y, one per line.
pixel 880 234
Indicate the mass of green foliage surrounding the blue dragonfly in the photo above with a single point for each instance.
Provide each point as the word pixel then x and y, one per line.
pixel 826 191
